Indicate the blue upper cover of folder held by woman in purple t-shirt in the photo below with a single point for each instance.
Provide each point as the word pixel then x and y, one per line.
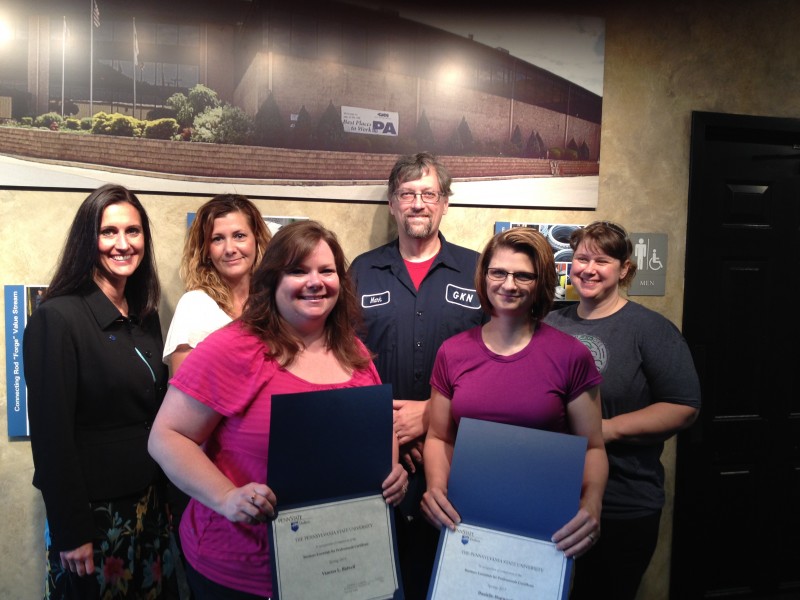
pixel 515 479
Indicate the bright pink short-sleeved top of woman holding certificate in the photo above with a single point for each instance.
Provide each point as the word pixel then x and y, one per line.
pixel 229 372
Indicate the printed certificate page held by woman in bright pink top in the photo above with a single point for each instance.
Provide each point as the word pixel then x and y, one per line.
pixel 337 550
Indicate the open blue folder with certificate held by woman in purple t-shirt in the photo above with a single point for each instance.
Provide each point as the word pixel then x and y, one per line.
pixel 513 488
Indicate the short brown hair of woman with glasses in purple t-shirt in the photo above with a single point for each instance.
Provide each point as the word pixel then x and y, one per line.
pixel 533 244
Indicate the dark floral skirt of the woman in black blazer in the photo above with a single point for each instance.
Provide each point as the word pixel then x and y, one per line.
pixel 132 555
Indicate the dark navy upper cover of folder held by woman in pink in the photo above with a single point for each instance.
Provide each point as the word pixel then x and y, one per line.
pixel 330 444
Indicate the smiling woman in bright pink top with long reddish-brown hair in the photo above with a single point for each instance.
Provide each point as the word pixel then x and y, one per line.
pixel 212 434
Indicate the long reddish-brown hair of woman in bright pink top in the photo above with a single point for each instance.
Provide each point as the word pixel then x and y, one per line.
pixel 290 246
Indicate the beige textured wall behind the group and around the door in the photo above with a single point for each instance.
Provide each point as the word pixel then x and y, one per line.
pixel 663 60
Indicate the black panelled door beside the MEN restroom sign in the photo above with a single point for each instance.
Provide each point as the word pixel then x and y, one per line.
pixel 737 495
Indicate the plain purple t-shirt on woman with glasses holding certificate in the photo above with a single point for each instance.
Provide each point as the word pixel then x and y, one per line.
pixel 530 388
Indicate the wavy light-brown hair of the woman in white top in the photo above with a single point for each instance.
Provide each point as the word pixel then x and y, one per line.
pixel 197 270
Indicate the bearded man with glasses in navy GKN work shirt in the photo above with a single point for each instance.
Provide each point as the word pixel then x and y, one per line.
pixel 415 292
